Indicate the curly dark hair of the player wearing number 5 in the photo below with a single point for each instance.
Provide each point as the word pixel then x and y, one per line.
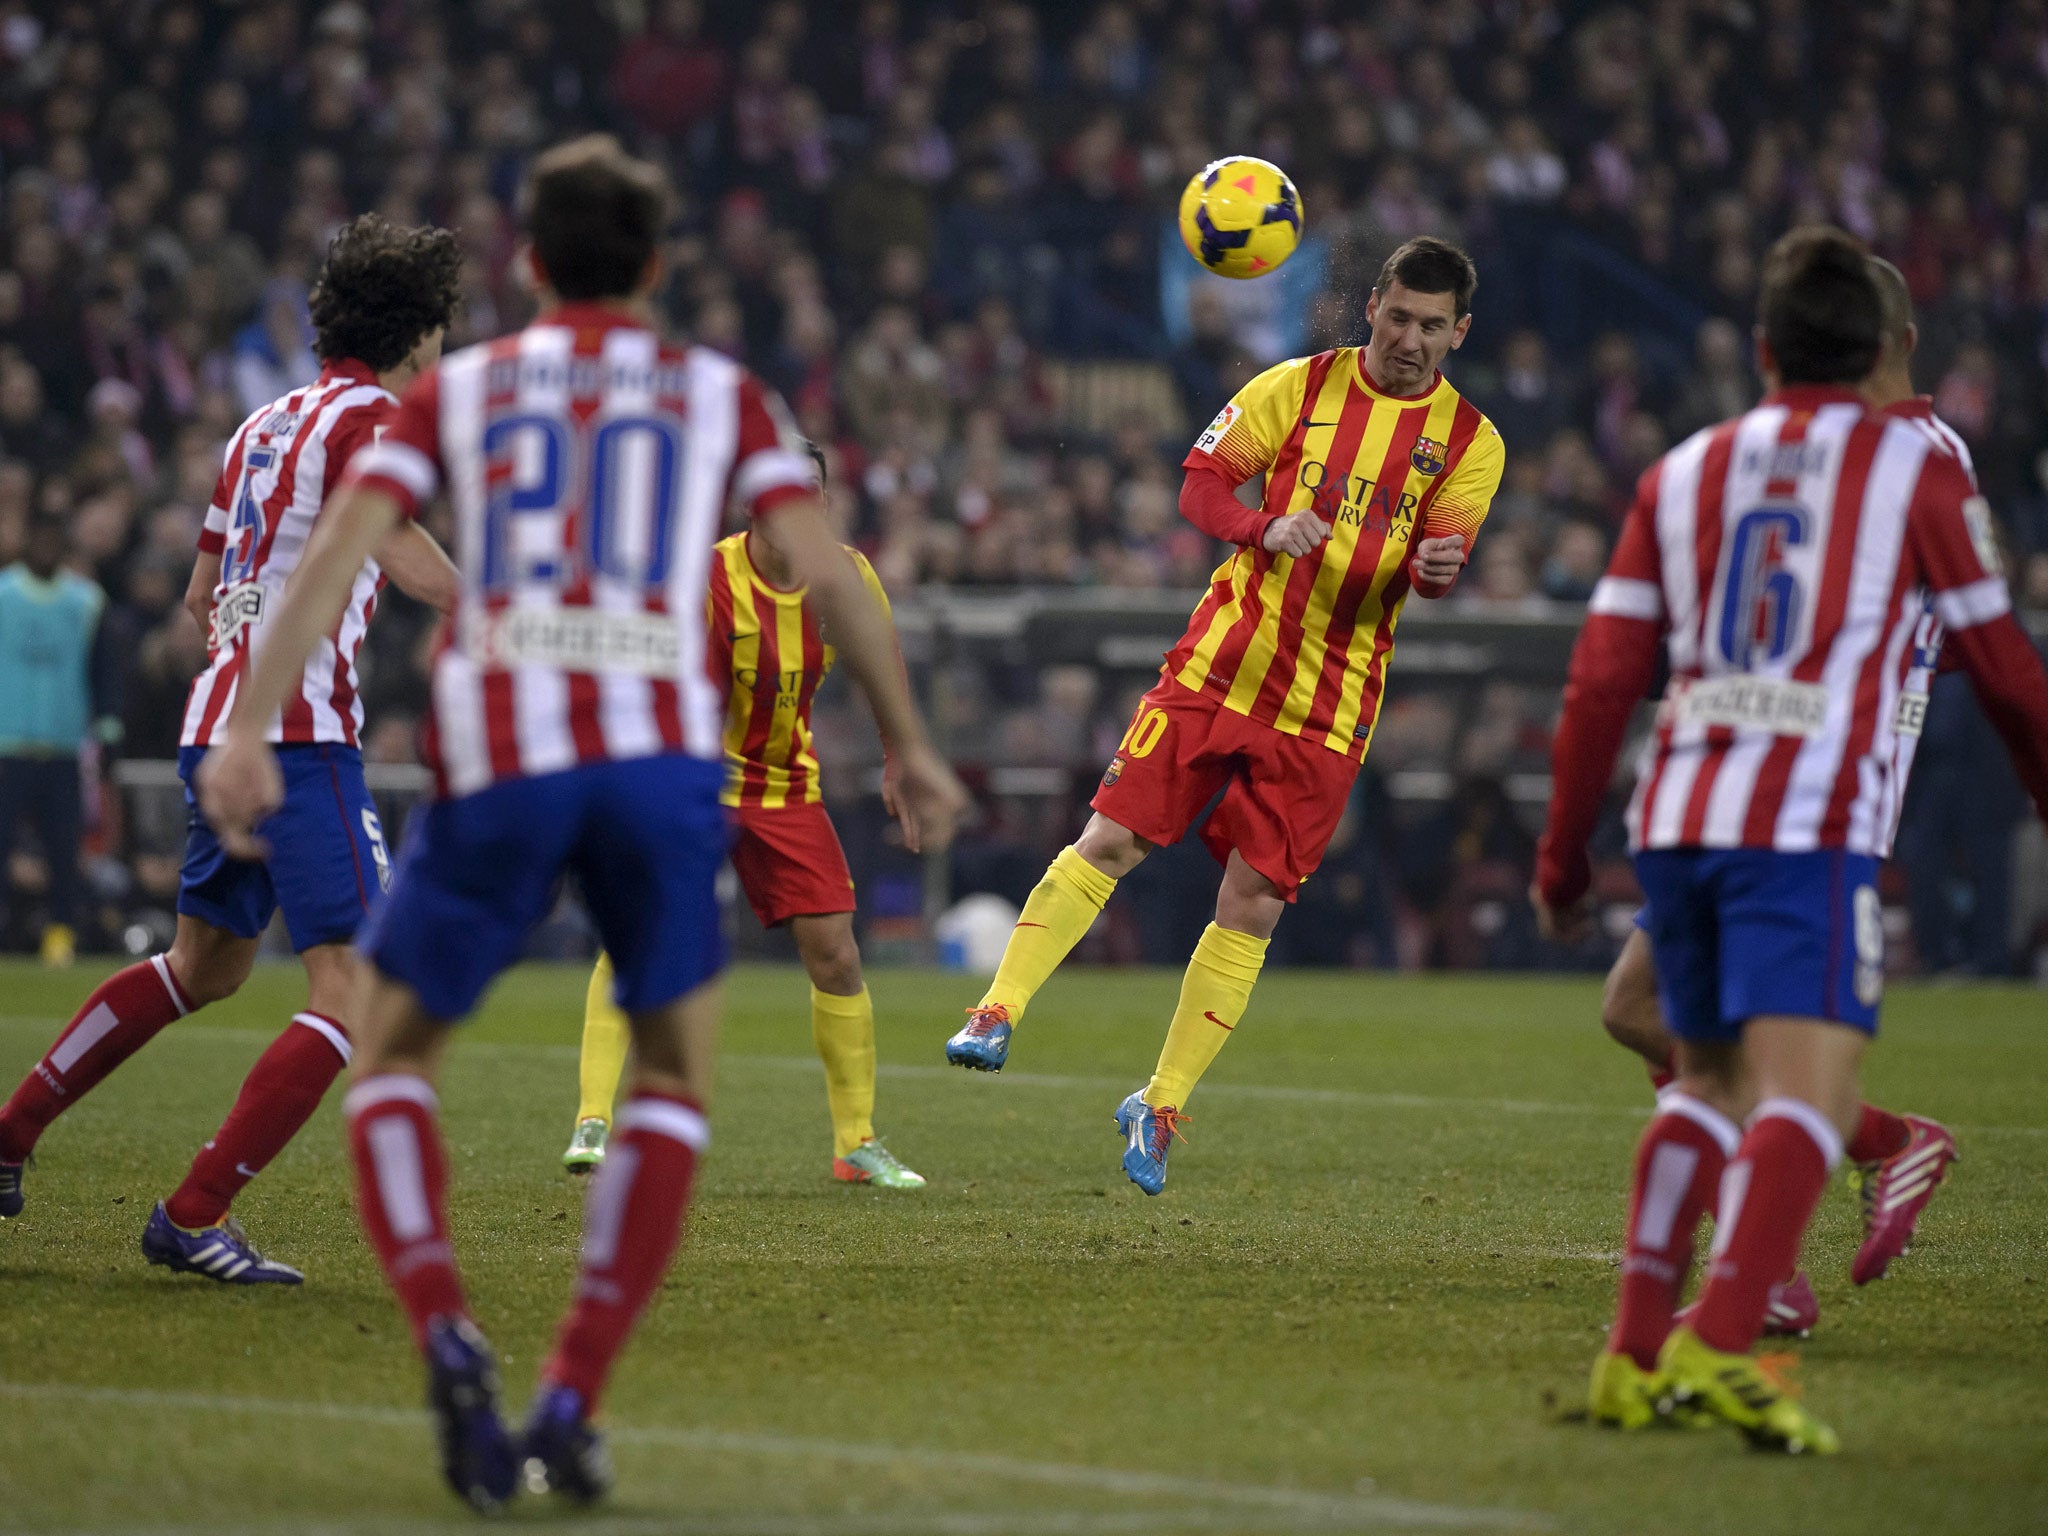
pixel 384 290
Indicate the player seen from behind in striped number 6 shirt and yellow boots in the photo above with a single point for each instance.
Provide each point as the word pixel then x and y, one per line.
pixel 1787 560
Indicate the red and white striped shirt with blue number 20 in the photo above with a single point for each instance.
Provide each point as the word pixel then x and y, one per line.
pixel 589 468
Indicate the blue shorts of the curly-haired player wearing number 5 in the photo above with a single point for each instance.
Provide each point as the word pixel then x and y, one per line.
pixel 329 859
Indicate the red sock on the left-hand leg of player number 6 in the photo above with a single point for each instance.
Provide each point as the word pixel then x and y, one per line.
pixel 1678 1172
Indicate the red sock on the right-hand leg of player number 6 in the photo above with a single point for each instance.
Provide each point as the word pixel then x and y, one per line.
pixel 1766 1201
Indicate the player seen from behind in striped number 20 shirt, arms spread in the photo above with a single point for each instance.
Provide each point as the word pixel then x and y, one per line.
pixel 574 728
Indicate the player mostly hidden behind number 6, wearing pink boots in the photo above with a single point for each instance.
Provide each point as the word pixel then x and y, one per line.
pixel 1897 1160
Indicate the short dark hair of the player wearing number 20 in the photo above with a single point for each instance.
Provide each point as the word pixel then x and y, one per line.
pixel 595 216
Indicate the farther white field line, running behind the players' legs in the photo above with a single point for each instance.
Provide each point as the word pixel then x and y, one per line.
pixel 1273 1093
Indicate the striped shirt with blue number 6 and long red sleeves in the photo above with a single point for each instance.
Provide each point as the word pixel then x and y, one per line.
pixel 1789 560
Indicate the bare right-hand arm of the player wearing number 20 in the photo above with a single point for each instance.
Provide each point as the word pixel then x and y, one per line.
pixel 863 636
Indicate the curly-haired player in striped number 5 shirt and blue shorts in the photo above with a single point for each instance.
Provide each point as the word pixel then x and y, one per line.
pixel 380 308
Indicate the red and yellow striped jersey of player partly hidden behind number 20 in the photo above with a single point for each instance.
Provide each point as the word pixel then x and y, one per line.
pixel 767 644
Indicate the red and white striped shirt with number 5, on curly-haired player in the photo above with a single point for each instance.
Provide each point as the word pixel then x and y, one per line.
pixel 282 466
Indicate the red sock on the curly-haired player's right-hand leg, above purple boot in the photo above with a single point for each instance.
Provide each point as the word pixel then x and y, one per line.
pixel 280 1097
